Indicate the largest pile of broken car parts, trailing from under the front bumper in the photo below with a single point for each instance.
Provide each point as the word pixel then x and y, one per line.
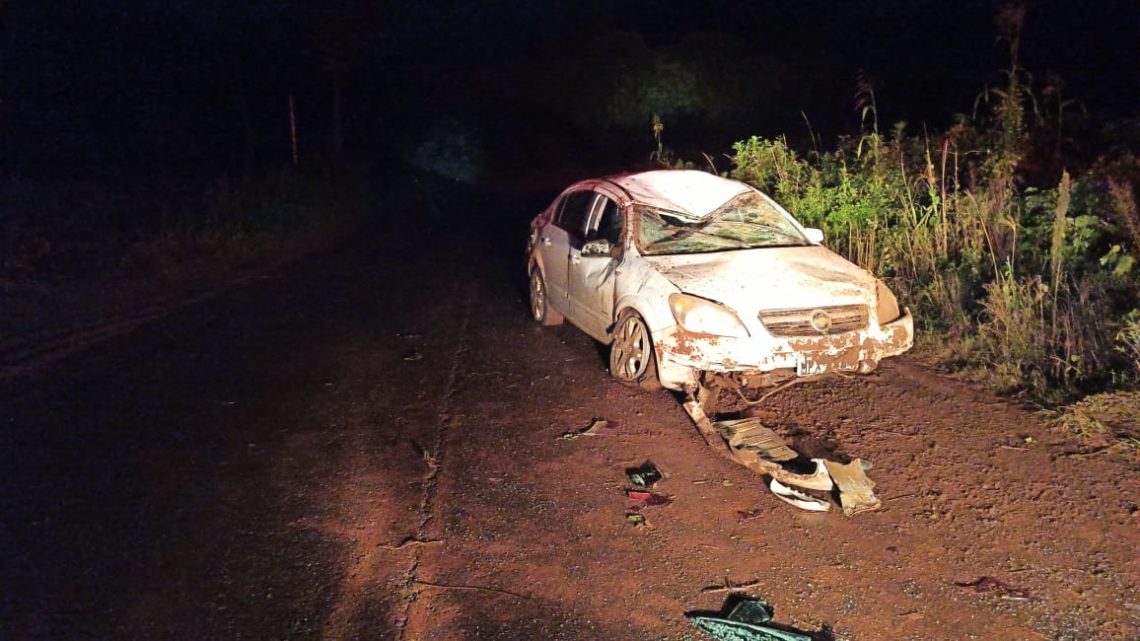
pixel 752 444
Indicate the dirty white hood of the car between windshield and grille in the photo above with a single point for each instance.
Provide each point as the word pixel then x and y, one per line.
pixel 770 278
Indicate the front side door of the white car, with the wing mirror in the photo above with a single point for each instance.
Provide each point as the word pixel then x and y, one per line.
pixel 591 278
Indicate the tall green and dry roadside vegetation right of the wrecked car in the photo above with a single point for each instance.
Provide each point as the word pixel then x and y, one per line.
pixel 1017 254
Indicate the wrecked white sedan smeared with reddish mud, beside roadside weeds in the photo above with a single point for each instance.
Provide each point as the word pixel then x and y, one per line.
pixel 689 277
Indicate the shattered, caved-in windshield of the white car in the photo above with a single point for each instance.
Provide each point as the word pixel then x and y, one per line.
pixel 746 222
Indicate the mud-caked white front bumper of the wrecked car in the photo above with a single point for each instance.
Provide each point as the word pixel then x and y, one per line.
pixel 683 356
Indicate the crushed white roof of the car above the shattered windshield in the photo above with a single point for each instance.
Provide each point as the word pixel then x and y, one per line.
pixel 696 193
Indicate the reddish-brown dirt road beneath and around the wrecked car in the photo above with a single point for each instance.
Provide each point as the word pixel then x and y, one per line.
pixel 368 445
